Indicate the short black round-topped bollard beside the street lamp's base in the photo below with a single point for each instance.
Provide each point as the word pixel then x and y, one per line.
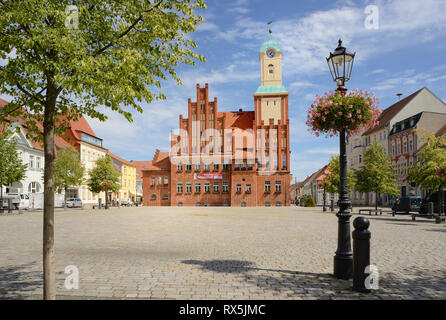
pixel 361 253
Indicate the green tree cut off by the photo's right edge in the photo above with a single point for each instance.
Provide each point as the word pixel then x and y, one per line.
pixel 428 164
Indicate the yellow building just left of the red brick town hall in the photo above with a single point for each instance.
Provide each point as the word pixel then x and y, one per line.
pixel 128 179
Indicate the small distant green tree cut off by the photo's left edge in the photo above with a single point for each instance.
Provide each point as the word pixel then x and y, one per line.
pixel 12 168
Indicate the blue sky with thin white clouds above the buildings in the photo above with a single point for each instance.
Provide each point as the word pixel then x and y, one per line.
pixel 405 53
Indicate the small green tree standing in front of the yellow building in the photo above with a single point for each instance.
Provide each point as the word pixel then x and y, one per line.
pixel 104 177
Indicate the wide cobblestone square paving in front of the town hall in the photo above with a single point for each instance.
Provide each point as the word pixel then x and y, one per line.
pixel 216 253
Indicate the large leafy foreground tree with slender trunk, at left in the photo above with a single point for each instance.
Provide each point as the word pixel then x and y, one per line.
pixel 66 61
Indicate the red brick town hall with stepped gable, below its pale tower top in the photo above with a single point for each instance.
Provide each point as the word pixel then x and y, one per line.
pixel 214 168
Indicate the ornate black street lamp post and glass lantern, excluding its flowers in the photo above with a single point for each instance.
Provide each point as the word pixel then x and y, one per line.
pixel 340 63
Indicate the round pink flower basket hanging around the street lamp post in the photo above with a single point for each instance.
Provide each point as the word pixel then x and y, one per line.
pixel 355 111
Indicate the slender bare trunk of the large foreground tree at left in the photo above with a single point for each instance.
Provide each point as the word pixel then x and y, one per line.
pixel 49 285
